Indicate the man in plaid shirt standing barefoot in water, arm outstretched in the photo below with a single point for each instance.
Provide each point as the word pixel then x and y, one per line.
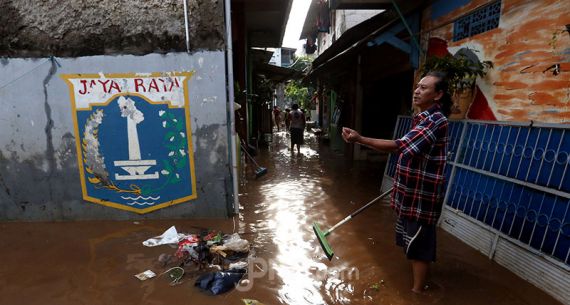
pixel 418 183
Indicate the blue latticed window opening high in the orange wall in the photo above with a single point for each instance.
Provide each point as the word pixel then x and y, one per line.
pixel 479 21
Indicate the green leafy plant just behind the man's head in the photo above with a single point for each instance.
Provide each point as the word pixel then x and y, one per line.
pixel 462 71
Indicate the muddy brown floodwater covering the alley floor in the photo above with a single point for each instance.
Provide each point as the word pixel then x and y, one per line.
pixel 93 262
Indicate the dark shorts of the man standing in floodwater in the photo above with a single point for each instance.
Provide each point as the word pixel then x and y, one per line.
pixel 417 240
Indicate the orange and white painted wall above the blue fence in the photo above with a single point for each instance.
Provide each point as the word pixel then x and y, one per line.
pixel 520 87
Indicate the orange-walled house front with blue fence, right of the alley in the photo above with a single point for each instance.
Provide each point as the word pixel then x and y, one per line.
pixel 507 193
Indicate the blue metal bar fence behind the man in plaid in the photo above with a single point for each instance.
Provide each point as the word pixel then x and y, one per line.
pixel 510 178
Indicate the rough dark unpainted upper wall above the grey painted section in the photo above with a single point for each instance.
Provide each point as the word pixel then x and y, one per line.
pixel 74 28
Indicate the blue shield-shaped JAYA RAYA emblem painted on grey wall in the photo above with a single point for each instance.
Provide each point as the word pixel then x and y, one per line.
pixel 134 141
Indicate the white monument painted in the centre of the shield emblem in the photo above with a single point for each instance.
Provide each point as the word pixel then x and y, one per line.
pixel 135 167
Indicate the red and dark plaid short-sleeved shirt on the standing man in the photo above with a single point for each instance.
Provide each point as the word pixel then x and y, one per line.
pixel 419 179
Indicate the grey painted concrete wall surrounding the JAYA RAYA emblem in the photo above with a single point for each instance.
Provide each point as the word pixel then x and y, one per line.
pixel 39 174
